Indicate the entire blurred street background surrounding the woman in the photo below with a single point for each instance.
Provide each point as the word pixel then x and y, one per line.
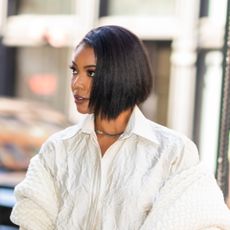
pixel 187 44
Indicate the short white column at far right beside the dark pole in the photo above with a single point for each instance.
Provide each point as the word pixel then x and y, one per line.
pixel 209 113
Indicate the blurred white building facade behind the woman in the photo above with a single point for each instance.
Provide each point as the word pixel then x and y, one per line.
pixel 184 39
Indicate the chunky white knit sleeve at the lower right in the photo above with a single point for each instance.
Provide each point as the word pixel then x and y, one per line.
pixel 190 200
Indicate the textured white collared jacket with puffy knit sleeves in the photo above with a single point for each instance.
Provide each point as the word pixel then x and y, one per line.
pixel 150 179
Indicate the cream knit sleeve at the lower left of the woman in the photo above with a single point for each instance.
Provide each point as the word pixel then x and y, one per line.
pixel 36 205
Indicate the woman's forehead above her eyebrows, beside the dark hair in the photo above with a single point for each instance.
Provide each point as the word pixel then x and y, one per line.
pixel 84 53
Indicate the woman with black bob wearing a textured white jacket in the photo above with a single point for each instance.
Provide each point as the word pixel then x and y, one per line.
pixel 116 169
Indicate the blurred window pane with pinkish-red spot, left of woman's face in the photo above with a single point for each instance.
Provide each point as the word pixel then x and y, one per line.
pixel 42 75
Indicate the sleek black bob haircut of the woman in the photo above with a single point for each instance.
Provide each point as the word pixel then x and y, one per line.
pixel 123 76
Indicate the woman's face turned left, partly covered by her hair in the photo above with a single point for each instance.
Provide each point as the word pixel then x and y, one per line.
pixel 83 70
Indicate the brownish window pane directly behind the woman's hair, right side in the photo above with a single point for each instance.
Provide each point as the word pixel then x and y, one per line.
pixel 155 107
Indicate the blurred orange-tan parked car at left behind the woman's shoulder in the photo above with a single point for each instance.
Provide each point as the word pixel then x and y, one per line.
pixel 24 126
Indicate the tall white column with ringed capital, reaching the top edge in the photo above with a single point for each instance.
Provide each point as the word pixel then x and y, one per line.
pixel 183 71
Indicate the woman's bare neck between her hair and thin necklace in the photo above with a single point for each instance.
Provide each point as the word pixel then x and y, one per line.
pixel 112 128
